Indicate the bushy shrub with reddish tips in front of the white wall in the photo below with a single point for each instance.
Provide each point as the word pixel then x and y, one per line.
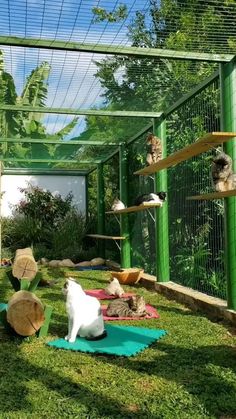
pixel 48 223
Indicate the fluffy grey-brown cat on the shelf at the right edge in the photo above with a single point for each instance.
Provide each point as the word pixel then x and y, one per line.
pixel 223 178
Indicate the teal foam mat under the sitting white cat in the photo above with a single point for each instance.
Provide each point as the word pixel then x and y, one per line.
pixel 120 341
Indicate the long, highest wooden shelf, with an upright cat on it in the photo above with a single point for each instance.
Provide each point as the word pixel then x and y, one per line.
pixel 200 146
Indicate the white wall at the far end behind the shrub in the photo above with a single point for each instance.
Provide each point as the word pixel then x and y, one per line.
pixel 55 184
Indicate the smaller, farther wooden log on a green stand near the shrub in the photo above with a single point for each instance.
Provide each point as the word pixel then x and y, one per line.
pixel 24 265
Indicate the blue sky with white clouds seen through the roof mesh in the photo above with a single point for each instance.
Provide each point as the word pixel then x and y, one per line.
pixel 71 82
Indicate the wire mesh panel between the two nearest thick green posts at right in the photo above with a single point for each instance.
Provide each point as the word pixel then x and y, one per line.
pixel 196 227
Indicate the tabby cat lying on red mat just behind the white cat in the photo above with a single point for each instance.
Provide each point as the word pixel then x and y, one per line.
pixel 131 307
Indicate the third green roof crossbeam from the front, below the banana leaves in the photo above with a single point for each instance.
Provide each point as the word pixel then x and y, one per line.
pixel 60 142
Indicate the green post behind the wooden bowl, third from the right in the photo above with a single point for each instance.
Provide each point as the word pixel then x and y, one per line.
pixel 124 221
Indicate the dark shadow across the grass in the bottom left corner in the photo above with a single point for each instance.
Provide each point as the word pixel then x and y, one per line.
pixel 15 394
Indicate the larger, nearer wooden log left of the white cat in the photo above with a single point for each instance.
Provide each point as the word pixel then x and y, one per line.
pixel 25 313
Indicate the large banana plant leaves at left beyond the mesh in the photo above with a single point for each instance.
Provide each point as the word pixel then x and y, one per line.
pixel 22 124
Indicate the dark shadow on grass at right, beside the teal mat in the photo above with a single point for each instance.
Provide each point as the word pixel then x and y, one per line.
pixel 204 372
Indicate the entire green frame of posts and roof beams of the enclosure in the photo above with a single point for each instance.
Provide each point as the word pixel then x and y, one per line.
pixel 228 114
